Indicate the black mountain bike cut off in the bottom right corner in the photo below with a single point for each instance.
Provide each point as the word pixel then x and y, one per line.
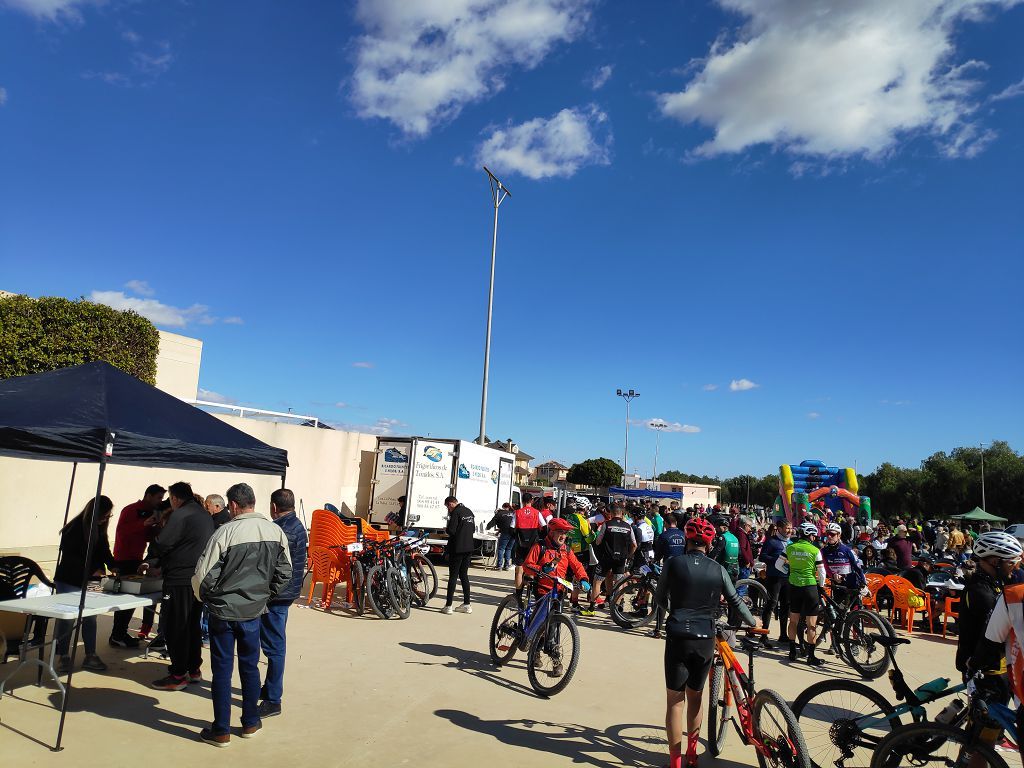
pixel 940 745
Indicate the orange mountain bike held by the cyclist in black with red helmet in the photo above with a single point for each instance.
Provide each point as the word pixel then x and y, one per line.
pixel 762 718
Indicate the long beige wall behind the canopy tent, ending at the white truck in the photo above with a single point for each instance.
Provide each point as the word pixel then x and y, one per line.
pixel 325 466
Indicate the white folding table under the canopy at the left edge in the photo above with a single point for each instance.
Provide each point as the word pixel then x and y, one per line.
pixel 64 607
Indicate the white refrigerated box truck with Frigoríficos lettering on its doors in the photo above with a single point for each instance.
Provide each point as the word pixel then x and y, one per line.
pixel 428 471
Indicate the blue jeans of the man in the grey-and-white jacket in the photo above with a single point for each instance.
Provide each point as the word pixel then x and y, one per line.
pixel 224 638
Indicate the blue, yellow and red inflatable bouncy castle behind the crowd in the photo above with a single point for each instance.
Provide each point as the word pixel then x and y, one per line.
pixel 810 484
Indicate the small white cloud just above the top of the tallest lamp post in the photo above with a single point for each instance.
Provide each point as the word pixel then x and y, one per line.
pixel 543 148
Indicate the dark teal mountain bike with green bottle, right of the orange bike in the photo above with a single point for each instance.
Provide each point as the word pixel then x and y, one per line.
pixel 844 721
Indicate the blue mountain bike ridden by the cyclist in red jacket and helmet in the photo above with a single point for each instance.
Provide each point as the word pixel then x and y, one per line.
pixel 536 624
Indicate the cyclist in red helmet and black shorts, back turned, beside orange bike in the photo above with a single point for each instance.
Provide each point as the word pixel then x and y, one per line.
pixel 691 588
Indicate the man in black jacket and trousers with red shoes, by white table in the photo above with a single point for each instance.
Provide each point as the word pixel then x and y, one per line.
pixel 177 550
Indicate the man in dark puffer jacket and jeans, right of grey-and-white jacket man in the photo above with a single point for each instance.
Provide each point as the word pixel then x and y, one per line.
pixel 272 629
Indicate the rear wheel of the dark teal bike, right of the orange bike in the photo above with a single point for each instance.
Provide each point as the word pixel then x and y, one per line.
pixel 843 720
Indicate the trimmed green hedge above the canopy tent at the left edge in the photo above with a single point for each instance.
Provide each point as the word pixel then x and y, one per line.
pixel 46 334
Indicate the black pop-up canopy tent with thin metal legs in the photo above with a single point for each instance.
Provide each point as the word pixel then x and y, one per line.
pixel 98 414
